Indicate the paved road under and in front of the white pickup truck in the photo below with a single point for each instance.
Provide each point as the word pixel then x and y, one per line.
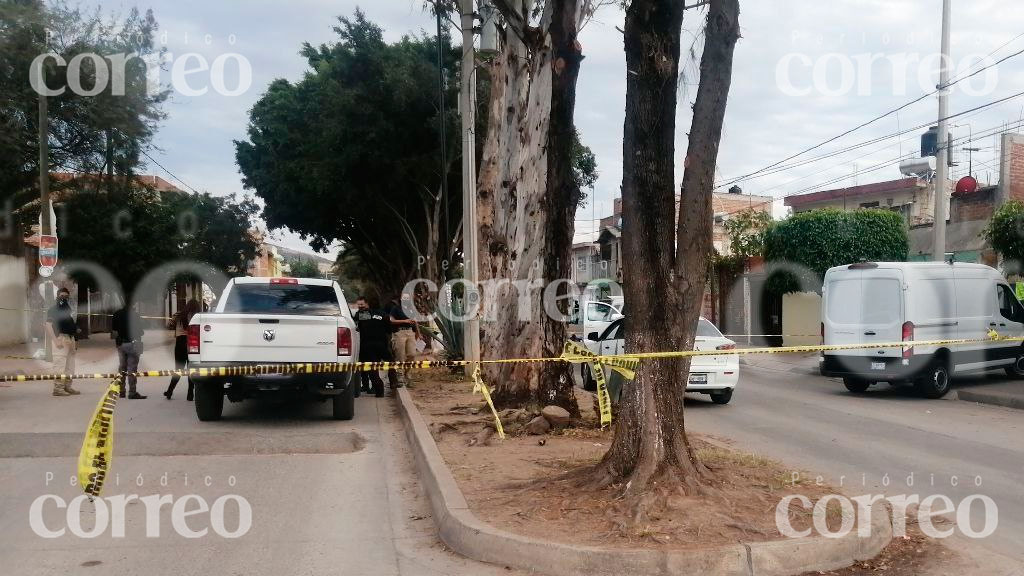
pixel 326 498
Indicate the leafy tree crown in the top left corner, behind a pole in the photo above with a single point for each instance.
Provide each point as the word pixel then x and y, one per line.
pixel 89 135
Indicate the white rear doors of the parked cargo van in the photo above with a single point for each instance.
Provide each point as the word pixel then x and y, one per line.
pixel 865 306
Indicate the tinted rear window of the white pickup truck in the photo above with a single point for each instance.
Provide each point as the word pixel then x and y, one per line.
pixel 283 299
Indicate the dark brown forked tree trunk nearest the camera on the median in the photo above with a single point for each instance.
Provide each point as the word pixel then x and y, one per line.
pixel 665 268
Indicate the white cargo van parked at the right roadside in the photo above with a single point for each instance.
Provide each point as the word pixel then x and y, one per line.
pixel 901 302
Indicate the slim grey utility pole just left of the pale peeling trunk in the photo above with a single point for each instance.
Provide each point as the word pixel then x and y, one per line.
pixel 467 103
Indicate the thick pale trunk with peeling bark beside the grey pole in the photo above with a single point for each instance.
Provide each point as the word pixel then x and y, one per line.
pixel 527 201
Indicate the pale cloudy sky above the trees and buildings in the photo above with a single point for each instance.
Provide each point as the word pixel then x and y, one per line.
pixel 764 124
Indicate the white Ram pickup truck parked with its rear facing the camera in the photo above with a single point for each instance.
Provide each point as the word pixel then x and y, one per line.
pixel 275 321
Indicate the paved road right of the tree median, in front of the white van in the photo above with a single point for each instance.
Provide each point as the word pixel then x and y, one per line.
pixel 814 424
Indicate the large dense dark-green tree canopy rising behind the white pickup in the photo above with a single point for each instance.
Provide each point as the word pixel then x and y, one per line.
pixel 352 154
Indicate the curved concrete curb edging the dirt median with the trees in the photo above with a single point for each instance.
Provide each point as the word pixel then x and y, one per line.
pixel 470 537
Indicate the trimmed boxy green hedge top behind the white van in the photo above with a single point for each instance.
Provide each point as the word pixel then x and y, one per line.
pixel 819 240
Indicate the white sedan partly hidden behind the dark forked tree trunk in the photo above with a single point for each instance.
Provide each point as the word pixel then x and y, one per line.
pixel 716 376
